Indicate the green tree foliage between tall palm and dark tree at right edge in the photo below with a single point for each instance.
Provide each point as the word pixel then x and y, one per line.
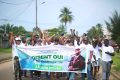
pixel 95 31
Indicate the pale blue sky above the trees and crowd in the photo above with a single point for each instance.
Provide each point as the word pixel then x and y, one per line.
pixel 86 13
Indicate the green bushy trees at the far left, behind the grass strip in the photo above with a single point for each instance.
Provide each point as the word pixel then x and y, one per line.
pixel 5 29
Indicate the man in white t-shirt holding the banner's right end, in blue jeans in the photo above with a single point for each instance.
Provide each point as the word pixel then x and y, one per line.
pixel 89 52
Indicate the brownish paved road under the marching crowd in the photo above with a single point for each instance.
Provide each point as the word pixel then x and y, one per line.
pixel 6 72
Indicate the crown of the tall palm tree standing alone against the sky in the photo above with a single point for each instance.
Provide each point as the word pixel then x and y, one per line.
pixel 65 16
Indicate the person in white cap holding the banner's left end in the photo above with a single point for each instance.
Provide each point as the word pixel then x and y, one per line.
pixel 15 42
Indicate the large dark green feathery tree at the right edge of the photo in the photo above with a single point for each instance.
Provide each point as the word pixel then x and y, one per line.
pixel 113 25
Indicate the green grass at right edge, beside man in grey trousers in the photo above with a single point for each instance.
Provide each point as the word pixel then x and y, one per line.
pixel 116 62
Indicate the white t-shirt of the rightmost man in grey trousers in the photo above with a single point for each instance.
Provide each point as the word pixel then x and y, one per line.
pixel 106 57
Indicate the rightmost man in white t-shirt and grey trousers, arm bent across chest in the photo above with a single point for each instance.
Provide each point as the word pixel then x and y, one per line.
pixel 107 53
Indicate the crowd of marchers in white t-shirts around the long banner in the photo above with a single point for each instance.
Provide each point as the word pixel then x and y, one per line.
pixel 99 53
